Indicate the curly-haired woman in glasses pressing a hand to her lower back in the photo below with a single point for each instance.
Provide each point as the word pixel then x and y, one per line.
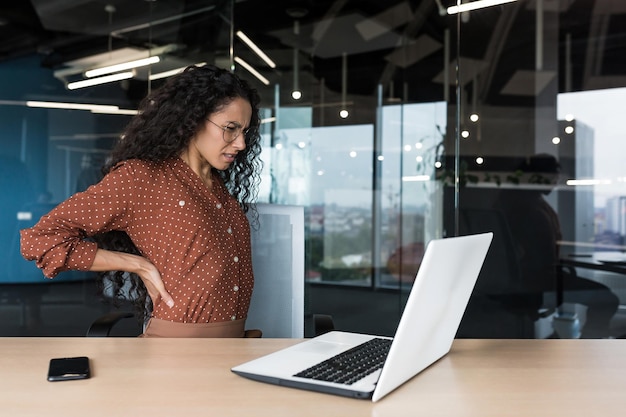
pixel 170 211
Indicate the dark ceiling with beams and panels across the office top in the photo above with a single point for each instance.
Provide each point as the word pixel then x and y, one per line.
pixel 386 42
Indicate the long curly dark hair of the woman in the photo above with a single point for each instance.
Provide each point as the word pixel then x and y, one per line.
pixel 167 120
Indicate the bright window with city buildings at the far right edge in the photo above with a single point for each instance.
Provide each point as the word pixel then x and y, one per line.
pixel 597 131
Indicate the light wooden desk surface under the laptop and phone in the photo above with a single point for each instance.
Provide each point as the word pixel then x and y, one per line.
pixel 191 377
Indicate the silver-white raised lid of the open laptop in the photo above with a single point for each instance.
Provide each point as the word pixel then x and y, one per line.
pixel 434 309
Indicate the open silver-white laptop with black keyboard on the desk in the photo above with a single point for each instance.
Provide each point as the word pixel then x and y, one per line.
pixel 429 322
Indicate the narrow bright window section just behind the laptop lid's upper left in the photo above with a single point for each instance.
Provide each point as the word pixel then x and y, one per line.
pixel 412 145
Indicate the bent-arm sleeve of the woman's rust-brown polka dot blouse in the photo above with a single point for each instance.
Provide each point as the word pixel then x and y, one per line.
pixel 59 241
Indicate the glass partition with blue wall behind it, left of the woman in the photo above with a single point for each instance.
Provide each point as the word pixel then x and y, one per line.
pixel 56 128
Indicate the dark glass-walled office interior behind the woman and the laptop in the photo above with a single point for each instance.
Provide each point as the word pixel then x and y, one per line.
pixel 391 123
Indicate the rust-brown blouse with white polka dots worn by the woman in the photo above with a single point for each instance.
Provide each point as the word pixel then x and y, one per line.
pixel 198 239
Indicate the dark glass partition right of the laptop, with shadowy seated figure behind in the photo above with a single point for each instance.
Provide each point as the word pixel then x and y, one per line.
pixel 538 165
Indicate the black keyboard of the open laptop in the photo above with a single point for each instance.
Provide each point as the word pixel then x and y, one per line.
pixel 351 365
